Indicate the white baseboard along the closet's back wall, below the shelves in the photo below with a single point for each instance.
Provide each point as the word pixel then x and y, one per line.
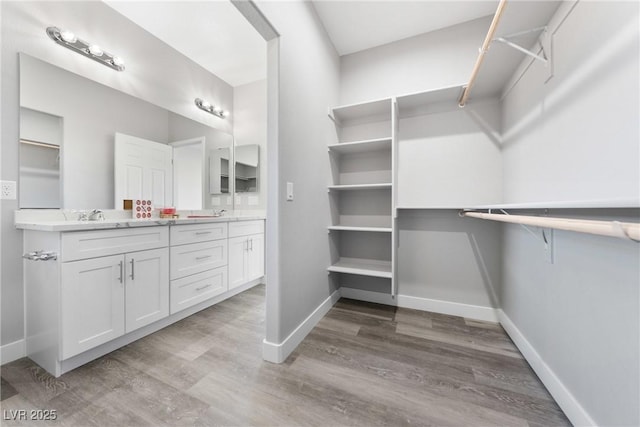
pixel 476 312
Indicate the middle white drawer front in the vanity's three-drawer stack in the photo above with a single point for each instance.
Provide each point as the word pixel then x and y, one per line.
pixel 197 257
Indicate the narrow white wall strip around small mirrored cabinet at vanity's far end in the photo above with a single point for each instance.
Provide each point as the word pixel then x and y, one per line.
pixel 250 127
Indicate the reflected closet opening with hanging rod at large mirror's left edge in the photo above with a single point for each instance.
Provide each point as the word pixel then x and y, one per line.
pixel 40 142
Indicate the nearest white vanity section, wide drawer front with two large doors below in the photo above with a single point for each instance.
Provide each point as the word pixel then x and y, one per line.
pixel 104 297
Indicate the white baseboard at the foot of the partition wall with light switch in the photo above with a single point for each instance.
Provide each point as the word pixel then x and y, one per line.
pixel 277 353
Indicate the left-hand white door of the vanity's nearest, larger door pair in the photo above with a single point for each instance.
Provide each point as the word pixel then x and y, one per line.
pixel 92 294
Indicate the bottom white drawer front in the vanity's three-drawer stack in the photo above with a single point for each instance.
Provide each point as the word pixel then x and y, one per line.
pixel 194 289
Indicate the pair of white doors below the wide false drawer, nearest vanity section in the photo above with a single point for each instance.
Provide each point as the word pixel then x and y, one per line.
pixel 103 298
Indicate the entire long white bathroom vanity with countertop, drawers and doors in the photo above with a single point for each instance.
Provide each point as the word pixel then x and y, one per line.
pixel 92 287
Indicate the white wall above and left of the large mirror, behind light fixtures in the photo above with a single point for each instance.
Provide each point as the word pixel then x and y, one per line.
pixel 166 79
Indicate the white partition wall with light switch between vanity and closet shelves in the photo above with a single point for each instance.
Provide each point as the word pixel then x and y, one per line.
pixel 308 83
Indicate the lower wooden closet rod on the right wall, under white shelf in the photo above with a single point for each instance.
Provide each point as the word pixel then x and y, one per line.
pixel 623 230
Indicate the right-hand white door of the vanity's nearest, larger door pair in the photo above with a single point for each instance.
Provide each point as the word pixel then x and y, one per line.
pixel 147 290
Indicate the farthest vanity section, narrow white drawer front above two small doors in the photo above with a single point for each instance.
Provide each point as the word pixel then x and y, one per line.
pixel 246 252
